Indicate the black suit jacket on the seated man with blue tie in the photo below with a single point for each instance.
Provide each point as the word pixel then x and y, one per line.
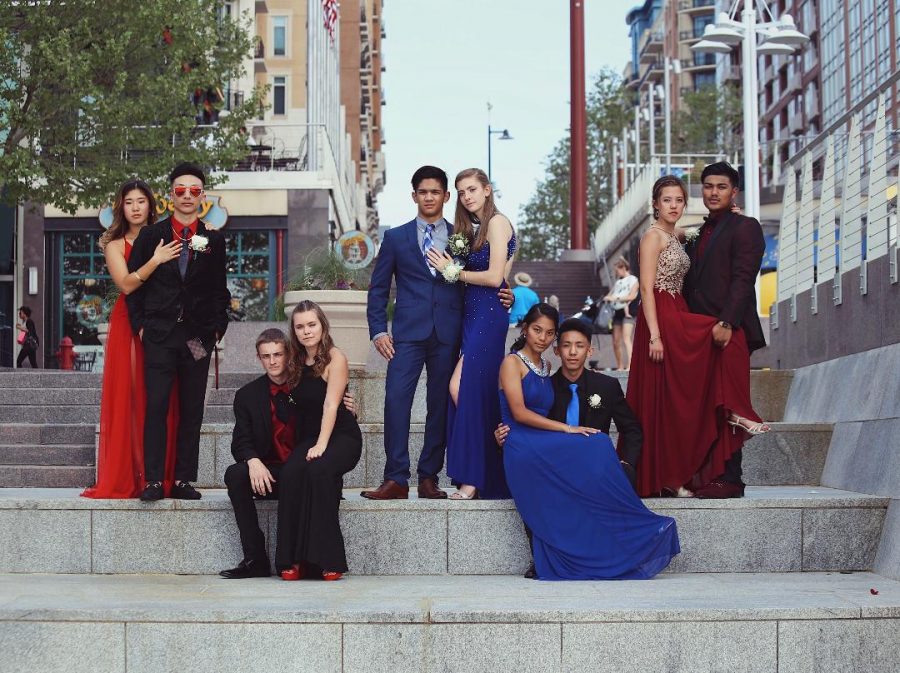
pixel 613 407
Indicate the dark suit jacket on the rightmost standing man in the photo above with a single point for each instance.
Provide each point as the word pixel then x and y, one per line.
pixel 723 282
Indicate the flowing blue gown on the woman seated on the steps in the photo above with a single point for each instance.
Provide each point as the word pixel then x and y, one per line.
pixel 586 519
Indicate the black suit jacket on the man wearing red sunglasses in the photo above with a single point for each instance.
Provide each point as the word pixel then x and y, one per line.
pixel 202 296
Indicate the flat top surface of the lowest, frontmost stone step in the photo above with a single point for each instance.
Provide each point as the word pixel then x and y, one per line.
pixel 446 599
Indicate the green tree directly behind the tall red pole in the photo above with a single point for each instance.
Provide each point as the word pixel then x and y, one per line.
pixel 544 220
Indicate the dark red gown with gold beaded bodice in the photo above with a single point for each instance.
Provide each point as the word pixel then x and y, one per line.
pixel 683 402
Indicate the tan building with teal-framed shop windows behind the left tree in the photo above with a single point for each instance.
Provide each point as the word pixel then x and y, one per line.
pixel 313 172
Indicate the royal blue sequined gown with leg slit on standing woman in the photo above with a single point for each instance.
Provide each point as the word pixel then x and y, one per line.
pixel 472 453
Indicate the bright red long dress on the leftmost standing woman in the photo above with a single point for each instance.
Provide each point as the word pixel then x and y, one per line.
pixel 123 402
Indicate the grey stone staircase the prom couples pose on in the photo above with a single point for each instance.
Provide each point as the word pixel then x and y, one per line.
pixel 779 581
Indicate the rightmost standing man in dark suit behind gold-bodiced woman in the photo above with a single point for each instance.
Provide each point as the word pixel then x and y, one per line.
pixel 725 260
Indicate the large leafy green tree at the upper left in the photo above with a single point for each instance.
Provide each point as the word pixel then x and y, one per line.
pixel 93 92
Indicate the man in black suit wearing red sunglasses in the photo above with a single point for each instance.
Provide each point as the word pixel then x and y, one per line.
pixel 179 313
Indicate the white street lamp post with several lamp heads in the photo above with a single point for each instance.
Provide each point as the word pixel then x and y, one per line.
pixel 779 37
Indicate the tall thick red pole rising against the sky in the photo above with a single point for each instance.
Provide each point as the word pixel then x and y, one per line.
pixel 578 178
